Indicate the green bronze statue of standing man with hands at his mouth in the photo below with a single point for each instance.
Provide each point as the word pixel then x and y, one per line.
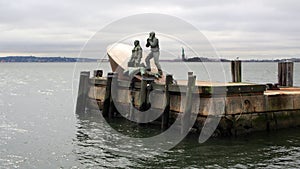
pixel 152 42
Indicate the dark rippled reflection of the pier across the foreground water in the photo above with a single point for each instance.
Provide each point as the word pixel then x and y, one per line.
pixel 97 147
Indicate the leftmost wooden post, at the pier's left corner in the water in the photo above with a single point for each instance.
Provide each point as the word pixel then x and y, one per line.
pixel 82 92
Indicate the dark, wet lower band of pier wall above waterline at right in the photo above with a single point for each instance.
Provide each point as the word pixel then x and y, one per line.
pixel 246 123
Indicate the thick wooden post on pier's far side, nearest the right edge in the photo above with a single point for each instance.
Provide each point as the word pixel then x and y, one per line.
pixel 285 73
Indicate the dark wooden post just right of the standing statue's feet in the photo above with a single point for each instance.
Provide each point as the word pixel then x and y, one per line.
pixel 165 115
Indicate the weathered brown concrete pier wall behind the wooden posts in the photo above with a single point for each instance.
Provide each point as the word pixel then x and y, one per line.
pixel 243 107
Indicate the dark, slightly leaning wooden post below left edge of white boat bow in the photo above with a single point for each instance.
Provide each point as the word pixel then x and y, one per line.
pixel 107 97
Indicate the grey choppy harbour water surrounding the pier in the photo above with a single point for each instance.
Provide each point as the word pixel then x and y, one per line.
pixel 39 129
